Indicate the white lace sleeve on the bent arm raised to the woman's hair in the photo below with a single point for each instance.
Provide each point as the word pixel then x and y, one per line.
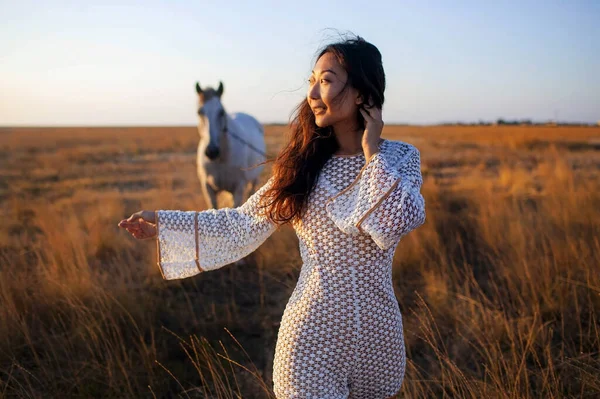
pixel 384 202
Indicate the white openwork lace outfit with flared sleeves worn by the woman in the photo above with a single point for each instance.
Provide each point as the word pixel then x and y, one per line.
pixel 341 332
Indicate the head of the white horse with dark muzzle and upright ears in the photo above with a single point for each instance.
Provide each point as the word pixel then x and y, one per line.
pixel 213 118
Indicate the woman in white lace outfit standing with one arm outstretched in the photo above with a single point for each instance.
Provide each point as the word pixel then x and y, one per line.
pixel 350 197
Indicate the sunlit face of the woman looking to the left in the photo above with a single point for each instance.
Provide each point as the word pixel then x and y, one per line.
pixel 327 80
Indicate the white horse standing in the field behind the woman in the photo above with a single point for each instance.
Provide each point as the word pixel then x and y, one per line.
pixel 229 144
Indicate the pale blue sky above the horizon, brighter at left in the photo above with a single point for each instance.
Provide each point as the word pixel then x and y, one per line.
pixel 136 63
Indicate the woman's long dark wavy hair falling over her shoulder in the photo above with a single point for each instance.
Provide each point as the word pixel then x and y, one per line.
pixel 297 167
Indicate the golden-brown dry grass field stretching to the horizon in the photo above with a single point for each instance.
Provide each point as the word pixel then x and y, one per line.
pixel 500 288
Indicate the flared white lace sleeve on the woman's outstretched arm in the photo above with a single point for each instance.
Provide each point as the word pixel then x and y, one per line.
pixel 190 242
